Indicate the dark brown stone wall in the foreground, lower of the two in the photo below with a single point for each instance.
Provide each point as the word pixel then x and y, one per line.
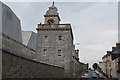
pixel 17 67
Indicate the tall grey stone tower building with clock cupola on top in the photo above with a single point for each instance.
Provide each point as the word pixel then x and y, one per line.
pixel 55 43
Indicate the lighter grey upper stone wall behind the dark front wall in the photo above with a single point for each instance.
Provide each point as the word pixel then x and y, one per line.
pixel 17 48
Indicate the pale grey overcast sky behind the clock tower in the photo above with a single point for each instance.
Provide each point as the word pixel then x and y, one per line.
pixel 94 24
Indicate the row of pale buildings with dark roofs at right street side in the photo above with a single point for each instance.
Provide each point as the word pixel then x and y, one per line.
pixel 110 62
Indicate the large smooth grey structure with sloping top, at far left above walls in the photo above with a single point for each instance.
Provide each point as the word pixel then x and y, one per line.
pixel 11 25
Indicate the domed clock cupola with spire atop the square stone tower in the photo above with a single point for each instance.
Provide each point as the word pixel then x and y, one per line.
pixel 52 16
